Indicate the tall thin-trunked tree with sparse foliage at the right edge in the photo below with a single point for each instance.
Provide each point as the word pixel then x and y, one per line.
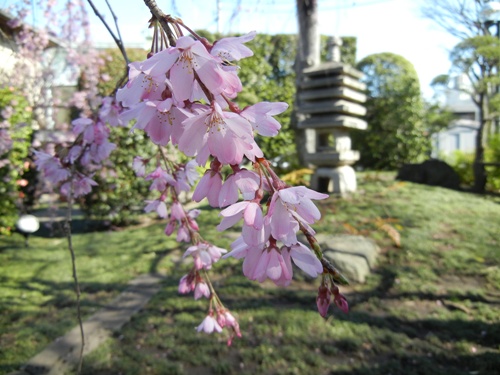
pixel 477 55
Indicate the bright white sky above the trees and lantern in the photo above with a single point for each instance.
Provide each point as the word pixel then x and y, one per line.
pixel 380 25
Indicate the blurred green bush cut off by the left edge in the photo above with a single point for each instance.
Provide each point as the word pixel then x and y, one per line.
pixel 16 128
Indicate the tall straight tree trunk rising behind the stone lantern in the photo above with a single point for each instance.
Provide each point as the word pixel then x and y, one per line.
pixel 308 54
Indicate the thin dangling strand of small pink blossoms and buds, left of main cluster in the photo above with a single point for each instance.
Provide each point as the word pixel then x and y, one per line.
pixel 168 180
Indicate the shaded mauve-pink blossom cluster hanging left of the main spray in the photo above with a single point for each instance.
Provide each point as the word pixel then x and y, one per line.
pixel 71 167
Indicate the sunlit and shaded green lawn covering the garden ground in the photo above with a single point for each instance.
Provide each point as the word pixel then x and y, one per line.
pixel 430 306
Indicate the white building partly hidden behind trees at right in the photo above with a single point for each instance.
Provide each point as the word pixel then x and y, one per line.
pixel 461 134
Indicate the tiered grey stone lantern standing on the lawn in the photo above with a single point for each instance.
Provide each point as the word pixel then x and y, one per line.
pixel 331 99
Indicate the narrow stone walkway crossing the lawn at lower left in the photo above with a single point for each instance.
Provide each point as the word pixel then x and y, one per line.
pixel 62 355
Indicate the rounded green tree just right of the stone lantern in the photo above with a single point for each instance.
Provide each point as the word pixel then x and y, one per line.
pixel 397 132
